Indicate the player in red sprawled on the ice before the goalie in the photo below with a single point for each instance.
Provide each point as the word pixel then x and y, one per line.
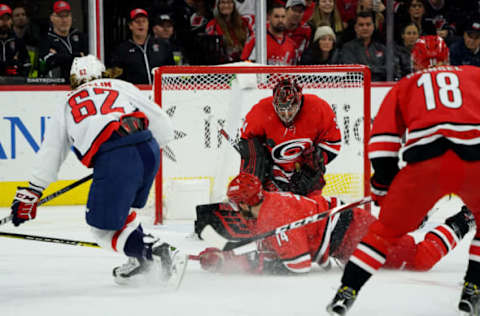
pixel 334 237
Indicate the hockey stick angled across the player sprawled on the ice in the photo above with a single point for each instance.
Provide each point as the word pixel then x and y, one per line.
pixel 249 244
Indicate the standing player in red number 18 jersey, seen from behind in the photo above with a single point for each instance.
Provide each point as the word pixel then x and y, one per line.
pixel 436 109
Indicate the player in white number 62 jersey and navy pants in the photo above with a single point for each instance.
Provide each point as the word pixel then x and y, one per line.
pixel 117 131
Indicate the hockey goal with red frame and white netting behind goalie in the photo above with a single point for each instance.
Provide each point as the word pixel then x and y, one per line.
pixel 198 165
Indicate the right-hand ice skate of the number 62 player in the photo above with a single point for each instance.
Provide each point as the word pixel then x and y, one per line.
pixel 173 264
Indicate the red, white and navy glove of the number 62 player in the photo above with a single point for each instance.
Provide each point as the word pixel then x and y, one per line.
pixel 24 205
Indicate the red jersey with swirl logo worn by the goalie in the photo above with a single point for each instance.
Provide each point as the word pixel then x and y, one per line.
pixel 314 125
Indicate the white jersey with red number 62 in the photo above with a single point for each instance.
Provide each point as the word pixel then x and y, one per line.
pixel 87 119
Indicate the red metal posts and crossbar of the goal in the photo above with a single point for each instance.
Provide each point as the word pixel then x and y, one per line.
pixel 157 94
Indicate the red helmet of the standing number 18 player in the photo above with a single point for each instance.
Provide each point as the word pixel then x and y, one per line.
pixel 429 51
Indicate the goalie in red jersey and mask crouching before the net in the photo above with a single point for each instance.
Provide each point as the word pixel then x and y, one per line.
pixel 295 135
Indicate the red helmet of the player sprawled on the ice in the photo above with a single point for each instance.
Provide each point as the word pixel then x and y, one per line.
pixel 245 188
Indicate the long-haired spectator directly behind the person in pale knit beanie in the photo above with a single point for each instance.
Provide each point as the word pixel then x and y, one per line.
pixel 327 13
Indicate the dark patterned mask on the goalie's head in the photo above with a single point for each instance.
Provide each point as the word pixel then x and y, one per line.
pixel 287 98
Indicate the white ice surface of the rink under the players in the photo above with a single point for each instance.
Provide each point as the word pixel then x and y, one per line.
pixel 39 278
